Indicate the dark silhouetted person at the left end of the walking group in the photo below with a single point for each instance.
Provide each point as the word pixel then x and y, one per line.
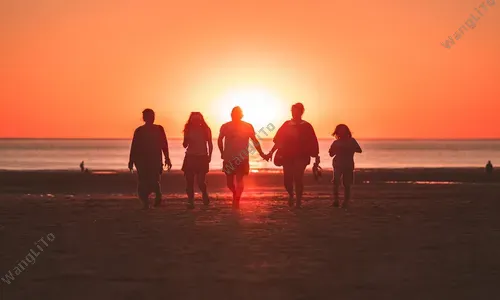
pixel 146 154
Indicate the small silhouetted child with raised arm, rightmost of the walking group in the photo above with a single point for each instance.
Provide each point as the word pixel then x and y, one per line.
pixel 342 150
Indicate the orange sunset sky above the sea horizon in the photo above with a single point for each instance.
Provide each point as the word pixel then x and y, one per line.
pixel 88 68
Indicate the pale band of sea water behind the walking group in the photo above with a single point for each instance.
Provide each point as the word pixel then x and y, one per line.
pixel 66 154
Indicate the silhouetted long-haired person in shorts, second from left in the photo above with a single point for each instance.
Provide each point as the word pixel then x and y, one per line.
pixel 197 137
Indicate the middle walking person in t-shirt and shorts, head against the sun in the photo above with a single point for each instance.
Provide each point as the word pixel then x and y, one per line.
pixel 233 145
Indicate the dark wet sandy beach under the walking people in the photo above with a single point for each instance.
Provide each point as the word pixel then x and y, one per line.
pixel 433 235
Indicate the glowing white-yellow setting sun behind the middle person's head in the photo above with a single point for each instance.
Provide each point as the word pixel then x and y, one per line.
pixel 260 107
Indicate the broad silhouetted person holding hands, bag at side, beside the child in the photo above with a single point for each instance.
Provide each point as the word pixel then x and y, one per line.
pixel 296 143
